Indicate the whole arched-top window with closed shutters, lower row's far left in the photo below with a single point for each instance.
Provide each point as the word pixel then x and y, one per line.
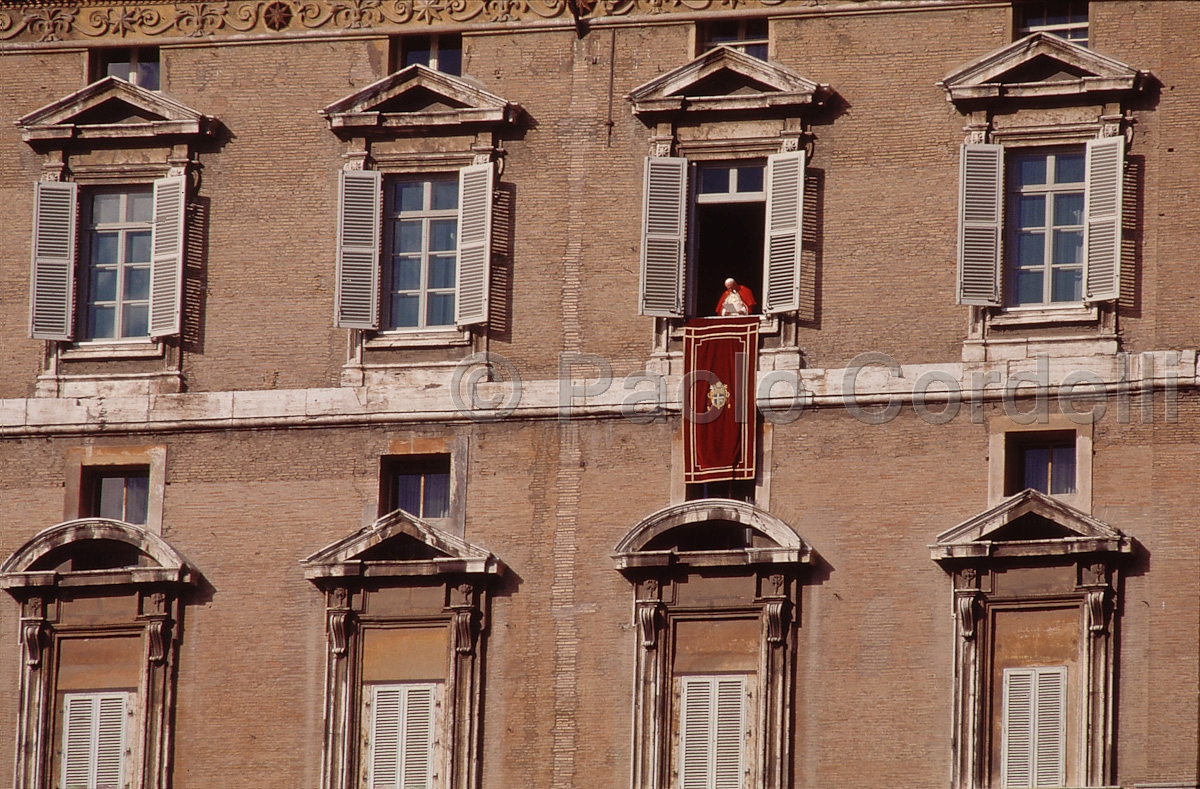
pixel 101 606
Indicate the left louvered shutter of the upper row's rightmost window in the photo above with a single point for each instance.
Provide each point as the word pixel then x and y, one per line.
pixel 981 224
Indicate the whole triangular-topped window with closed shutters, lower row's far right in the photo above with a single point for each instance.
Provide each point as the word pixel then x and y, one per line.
pixel 1036 583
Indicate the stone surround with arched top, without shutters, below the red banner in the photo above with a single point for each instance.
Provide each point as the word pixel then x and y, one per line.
pixel 777 568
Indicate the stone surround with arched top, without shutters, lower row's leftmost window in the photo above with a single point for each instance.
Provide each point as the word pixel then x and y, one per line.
pixel 161 586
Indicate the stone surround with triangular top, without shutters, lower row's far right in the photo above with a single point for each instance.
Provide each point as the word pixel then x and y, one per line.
pixel 975 553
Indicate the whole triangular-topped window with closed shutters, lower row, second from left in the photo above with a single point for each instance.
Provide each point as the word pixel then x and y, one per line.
pixel 406 621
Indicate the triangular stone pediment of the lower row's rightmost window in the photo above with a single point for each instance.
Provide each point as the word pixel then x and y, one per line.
pixel 1030 523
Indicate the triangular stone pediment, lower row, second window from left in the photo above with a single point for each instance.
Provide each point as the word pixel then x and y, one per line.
pixel 400 545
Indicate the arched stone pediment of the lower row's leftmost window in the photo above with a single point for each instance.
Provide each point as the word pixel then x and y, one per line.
pixel 116 553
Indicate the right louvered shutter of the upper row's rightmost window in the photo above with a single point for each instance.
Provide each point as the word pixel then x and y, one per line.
pixel 1106 182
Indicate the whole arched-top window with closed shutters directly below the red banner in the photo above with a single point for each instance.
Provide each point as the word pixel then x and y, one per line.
pixel 716 588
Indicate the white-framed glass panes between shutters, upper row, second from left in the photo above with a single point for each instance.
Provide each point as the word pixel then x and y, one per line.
pixel 422 239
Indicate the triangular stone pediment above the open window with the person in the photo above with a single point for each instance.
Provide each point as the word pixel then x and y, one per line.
pixel 725 80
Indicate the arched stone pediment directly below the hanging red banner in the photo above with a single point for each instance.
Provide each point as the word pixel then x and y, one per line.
pixel 651 544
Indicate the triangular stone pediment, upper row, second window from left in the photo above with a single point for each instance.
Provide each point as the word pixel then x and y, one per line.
pixel 419 98
